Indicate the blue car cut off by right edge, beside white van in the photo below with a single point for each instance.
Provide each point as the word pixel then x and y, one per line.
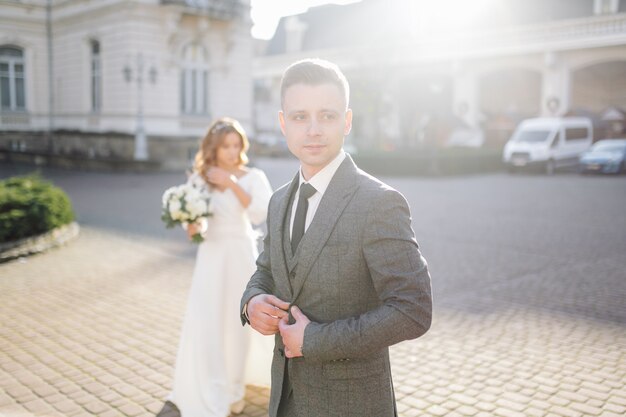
pixel 606 156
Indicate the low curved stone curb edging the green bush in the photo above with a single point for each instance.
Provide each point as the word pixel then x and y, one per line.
pixel 39 243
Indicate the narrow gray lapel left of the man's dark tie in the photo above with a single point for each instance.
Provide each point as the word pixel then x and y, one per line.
pixel 279 223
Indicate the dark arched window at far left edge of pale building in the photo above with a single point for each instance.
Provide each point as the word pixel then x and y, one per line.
pixel 12 82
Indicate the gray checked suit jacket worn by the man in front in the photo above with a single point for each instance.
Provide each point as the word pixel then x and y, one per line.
pixel 362 281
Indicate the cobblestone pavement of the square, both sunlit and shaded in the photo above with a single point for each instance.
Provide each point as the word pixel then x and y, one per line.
pixel 529 278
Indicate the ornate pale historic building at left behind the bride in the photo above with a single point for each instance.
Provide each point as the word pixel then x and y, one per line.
pixel 158 68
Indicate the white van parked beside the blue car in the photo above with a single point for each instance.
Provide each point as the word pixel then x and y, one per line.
pixel 550 143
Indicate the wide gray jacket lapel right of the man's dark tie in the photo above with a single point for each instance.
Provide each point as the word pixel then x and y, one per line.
pixel 337 196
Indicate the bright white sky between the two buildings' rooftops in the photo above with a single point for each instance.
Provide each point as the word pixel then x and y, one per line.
pixel 267 13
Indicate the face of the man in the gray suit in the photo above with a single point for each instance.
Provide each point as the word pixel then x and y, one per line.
pixel 314 121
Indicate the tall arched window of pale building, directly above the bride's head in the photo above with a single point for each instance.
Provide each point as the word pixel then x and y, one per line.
pixel 194 80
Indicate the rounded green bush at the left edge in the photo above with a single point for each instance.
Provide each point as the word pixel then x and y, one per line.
pixel 30 206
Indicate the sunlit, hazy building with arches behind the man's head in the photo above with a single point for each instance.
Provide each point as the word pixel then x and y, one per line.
pixel 422 74
